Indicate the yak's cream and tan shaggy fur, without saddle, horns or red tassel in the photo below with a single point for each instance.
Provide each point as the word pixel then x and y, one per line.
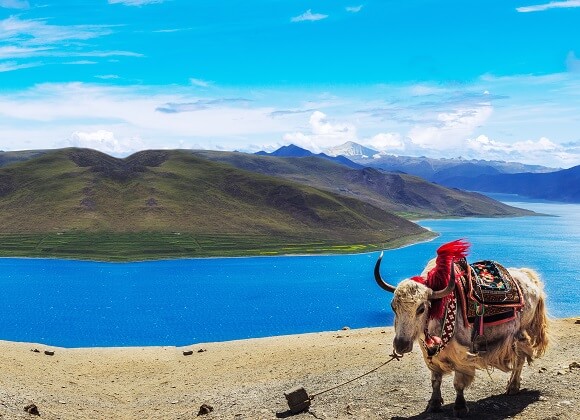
pixel 509 345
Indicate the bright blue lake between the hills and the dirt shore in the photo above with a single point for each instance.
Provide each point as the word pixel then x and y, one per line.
pixel 180 302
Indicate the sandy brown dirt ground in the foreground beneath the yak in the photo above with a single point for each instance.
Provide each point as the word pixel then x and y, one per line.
pixel 247 379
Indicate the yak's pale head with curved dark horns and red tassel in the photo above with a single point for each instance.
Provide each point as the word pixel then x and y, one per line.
pixel 419 298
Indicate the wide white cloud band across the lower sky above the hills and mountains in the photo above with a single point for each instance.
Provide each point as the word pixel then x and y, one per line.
pixel 160 117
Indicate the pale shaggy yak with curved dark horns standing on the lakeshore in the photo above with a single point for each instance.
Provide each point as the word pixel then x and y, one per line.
pixel 421 306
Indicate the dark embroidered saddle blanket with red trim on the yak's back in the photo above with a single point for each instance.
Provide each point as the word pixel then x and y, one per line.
pixel 487 289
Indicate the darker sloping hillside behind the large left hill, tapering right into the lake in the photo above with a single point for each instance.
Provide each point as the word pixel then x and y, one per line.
pixel 407 195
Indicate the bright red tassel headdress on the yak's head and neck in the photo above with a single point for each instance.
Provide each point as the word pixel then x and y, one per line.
pixel 438 277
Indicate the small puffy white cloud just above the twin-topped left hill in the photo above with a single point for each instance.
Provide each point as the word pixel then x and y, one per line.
pixel 105 141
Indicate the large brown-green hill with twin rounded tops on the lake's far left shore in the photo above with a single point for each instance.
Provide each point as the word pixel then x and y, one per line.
pixel 82 203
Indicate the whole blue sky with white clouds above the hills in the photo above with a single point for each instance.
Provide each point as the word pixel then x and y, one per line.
pixel 498 79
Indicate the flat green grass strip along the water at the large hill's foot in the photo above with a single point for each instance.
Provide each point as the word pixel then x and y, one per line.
pixel 158 245
